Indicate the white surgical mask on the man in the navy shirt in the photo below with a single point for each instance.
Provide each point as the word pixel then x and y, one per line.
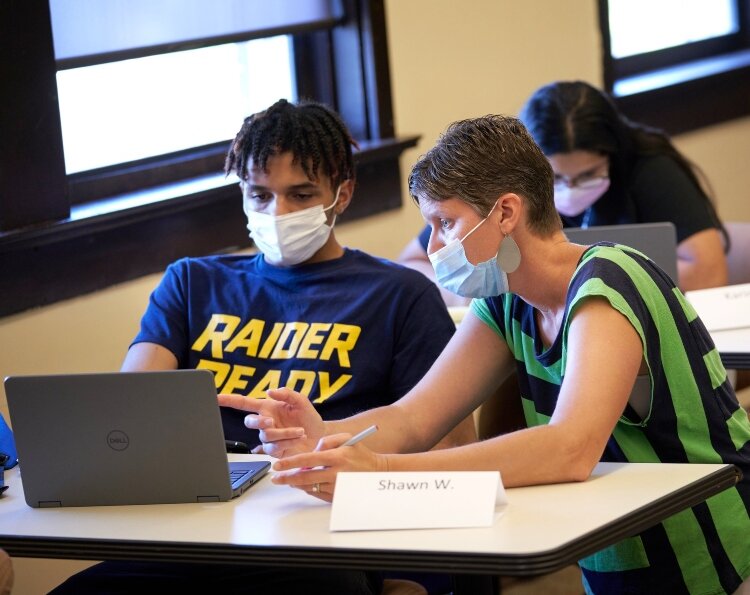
pixel 293 238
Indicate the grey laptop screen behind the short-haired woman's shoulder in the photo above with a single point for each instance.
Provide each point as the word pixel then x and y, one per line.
pixel 658 241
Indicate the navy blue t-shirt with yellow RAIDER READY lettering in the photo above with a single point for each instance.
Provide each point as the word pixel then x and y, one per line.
pixel 352 333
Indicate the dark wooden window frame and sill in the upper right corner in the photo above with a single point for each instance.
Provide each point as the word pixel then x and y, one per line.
pixel 715 70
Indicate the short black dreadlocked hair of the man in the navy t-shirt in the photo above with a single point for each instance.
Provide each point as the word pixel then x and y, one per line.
pixel 315 135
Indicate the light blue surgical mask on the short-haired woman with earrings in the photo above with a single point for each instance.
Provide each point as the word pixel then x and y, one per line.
pixel 455 273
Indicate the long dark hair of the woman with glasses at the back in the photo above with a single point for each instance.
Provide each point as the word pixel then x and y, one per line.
pixel 575 116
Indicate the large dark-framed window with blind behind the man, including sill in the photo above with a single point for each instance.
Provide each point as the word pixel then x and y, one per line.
pixel 112 138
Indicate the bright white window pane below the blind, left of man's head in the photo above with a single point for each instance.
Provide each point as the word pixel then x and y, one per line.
pixel 169 102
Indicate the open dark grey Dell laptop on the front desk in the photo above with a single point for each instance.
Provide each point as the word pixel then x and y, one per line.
pixel 123 438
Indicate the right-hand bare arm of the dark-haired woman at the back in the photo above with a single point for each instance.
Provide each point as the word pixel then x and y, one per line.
pixel 701 262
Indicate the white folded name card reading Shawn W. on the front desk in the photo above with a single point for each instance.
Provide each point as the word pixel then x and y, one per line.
pixel 416 500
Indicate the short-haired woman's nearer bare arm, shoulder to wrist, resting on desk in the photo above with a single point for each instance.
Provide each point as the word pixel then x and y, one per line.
pixel 591 400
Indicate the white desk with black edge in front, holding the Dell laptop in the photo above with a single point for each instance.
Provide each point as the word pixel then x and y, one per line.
pixel 544 528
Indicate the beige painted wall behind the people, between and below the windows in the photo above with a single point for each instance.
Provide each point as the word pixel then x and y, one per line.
pixel 449 60
